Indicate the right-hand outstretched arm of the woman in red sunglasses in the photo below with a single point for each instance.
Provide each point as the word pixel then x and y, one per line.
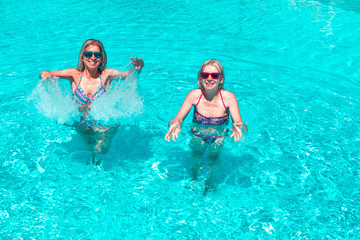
pixel 236 117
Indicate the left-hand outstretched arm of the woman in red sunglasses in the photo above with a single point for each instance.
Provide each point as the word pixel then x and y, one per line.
pixel 175 123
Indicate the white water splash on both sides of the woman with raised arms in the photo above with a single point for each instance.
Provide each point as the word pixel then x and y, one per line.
pixel 121 103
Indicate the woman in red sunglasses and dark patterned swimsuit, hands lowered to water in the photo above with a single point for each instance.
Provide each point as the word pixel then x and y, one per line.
pixel 212 107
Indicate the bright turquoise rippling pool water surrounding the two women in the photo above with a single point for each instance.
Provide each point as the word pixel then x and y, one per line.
pixel 294 67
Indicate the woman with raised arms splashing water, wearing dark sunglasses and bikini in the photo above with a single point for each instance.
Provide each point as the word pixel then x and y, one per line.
pixel 88 81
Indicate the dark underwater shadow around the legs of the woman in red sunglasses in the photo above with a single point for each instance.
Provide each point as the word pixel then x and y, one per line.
pixel 230 169
